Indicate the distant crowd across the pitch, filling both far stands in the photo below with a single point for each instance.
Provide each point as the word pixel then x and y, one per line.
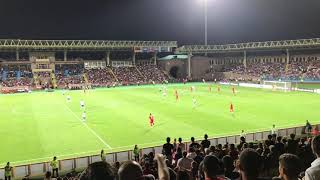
pixel 65 74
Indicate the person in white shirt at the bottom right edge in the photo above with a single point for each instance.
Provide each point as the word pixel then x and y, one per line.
pixel 313 172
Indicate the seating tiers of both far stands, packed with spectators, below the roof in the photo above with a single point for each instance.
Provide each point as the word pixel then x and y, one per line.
pixel 300 67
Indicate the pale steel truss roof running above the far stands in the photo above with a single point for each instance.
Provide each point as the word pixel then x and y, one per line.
pixel 151 46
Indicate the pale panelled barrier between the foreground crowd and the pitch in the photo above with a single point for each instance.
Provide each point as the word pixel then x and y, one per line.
pixel 82 162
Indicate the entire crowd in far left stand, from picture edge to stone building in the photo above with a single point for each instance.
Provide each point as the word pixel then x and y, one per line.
pixel 74 74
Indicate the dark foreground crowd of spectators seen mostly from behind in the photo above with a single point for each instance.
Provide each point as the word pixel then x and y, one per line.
pixel 276 158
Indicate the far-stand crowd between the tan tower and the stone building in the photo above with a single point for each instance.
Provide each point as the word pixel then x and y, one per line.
pixel 73 74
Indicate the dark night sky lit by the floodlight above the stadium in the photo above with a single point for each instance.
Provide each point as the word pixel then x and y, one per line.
pixel 182 20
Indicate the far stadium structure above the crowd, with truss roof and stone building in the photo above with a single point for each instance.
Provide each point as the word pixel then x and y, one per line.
pixel 188 61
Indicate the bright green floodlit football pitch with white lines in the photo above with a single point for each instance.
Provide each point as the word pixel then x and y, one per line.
pixel 36 126
